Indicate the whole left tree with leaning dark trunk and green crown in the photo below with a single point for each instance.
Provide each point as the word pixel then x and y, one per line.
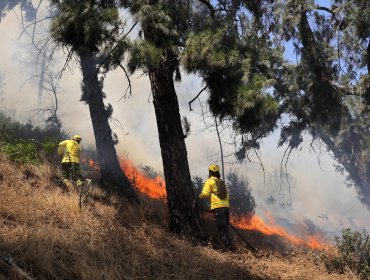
pixel 87 27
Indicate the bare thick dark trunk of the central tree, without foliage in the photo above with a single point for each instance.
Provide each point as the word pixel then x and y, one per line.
pixel 180 193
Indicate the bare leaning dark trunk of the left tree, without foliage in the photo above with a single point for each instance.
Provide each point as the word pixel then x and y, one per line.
pixel 93 95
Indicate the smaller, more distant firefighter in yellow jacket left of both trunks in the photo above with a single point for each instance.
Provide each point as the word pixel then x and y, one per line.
pixel 71 152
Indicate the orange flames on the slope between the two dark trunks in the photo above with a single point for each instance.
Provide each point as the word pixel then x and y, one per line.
pixel 152 187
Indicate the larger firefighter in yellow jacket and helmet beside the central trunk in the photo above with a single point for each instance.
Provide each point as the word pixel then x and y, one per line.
pixel 219 206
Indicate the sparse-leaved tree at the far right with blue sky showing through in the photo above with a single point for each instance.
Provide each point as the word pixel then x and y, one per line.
pixel 327 92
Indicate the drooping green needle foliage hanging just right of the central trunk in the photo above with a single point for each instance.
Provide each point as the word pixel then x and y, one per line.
pixel 237 65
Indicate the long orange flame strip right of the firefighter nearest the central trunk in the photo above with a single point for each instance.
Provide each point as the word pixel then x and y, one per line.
pixel 256 223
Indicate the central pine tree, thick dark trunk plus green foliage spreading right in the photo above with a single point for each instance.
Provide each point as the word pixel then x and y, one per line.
pixel 174 33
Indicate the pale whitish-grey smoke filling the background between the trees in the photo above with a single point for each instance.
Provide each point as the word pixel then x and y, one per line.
pixel 317 192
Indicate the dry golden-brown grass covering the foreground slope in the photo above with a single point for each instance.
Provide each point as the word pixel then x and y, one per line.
pixel 48 236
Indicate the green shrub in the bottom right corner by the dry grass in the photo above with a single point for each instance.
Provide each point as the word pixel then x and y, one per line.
pixel 353 252
